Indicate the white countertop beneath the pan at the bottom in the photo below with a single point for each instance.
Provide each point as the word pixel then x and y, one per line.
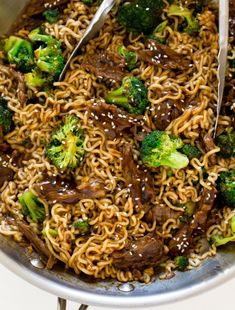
pixel 15 293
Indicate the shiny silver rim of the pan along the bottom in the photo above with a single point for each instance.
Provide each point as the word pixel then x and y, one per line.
pixel 96 299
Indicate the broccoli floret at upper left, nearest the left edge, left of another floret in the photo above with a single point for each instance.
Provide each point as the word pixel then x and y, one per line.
pixel 20 53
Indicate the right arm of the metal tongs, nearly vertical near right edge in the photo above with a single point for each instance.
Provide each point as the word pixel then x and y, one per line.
pixel 223 51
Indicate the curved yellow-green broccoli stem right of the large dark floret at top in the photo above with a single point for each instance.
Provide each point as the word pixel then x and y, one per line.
pixel 192 22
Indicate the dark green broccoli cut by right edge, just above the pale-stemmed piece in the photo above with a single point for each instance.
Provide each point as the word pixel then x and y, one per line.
pixel 226 185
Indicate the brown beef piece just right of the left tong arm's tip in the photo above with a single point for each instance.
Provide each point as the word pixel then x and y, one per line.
pixel 106 64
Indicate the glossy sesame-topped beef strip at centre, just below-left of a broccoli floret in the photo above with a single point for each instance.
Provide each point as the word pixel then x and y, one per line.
pixel 112 120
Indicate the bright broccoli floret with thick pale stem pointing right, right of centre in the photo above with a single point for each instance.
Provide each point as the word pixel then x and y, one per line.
pixel 160 149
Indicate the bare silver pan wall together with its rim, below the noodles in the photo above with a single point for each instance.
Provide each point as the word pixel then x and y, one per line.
pixel 67 285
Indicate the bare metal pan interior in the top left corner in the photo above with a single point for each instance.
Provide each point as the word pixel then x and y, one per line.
pixel 9 11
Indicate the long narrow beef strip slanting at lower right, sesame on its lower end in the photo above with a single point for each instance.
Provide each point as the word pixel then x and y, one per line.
pixel 183 237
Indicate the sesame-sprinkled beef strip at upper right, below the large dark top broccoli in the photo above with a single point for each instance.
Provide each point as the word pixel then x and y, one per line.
pixel 161 55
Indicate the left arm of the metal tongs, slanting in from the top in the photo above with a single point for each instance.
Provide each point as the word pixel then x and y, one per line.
pixel 95 25
